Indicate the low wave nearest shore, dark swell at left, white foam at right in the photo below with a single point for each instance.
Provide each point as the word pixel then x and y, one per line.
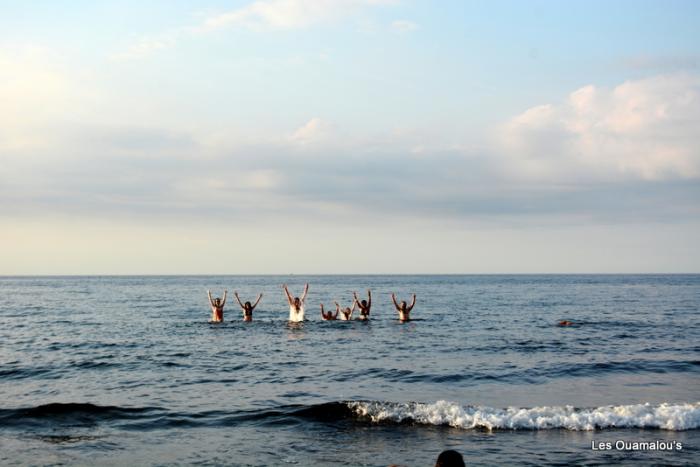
pixel 673 417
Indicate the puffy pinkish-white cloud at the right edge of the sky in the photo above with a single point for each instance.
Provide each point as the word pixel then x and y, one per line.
pixel 646 129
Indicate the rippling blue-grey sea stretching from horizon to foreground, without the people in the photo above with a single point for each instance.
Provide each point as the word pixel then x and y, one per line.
pixel 127 370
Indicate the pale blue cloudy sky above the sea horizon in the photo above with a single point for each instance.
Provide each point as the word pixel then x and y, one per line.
pixel 349 137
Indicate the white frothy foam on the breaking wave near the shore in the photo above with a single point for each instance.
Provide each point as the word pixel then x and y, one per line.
pixel 684 416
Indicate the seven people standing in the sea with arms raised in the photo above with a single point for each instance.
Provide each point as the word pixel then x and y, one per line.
pixel 296 307
